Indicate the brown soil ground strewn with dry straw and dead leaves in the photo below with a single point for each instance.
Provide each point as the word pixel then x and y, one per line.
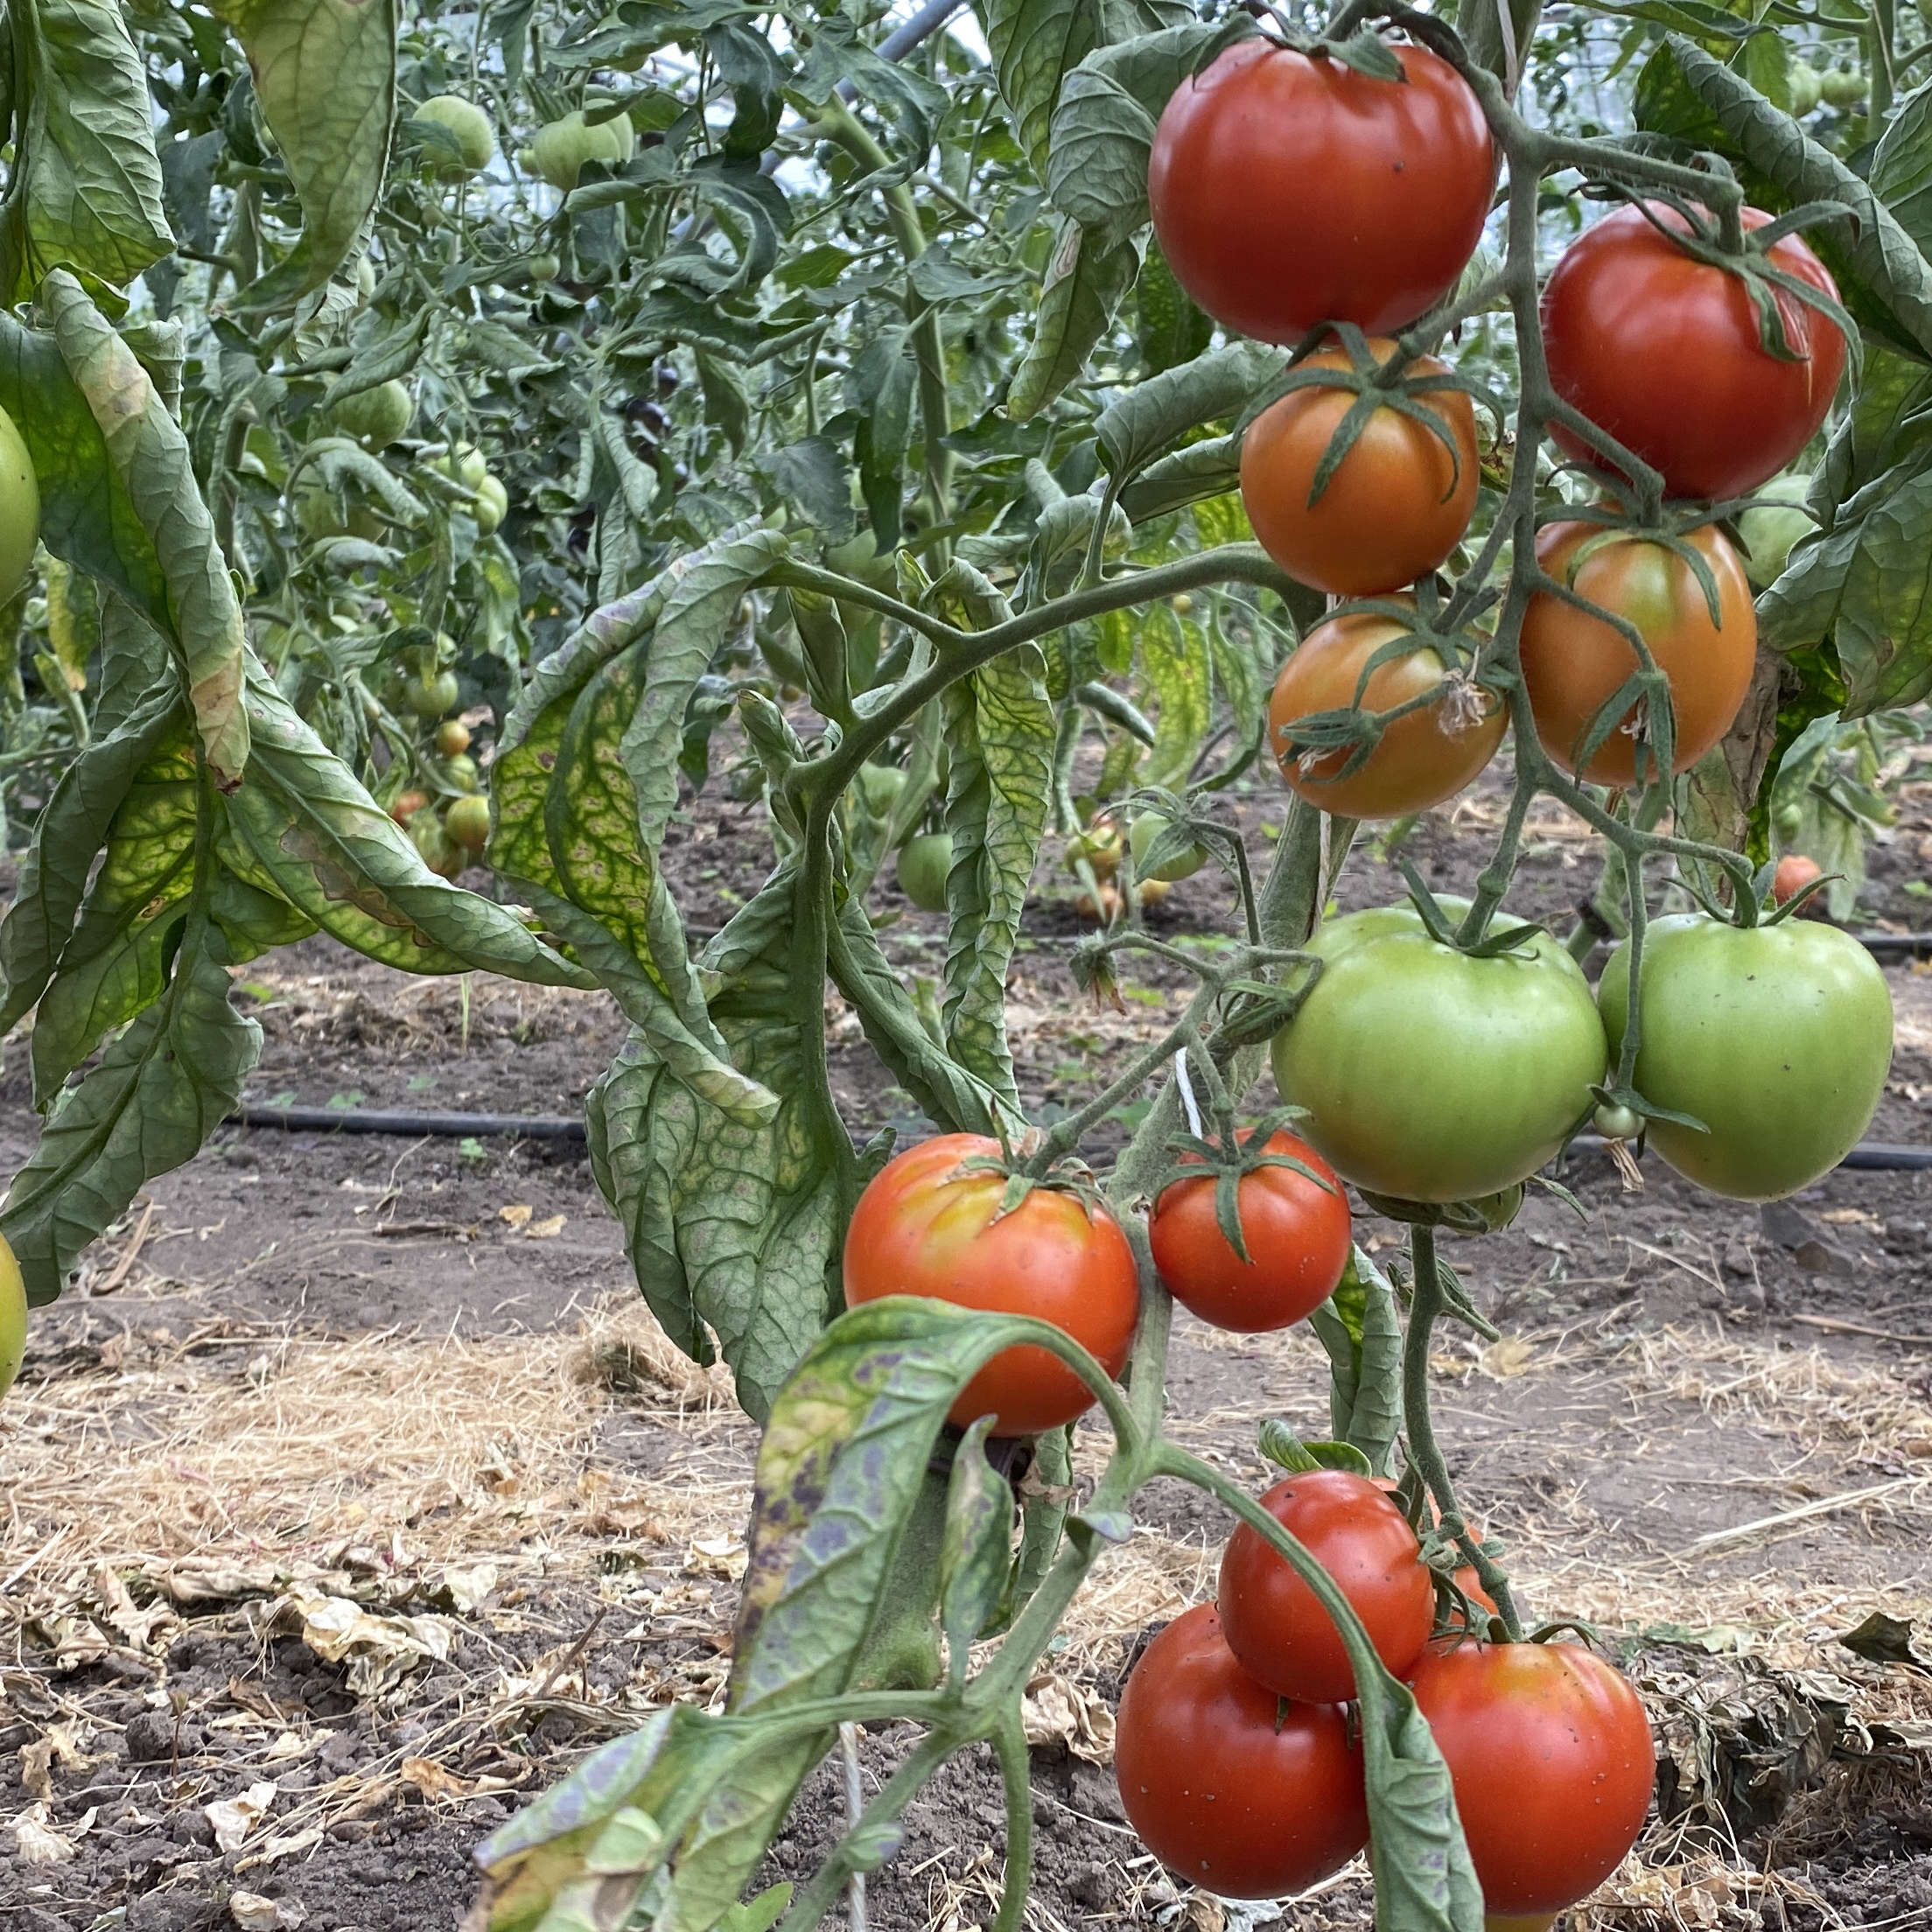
pixel 353 1494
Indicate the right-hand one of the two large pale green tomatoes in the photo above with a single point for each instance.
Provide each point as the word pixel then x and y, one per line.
pixel 1775 1037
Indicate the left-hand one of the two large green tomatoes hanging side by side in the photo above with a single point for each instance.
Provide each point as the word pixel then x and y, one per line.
pixel 1512 1046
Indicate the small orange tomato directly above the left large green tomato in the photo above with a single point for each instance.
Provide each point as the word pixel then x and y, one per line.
pixel 1423 758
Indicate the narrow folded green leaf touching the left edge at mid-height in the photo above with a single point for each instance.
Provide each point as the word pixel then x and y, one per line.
pixel 53 878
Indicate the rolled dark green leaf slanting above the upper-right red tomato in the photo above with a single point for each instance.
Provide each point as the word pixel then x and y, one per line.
pixel 1883 275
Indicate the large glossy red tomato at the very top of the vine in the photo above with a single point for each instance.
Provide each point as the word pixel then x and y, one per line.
pixel 1292 192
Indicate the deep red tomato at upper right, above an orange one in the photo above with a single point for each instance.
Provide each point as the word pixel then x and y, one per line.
pixel 1662 351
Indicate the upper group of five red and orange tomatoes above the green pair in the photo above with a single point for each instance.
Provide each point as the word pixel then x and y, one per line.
pixel 1653 341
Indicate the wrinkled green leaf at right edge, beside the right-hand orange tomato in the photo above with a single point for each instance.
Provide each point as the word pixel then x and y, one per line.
pixel 1867 582
